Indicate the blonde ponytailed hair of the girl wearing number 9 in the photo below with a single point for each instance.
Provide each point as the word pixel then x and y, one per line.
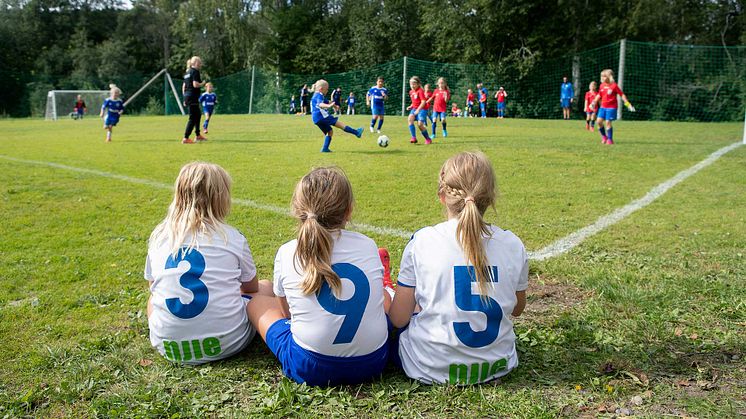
pixel 322 202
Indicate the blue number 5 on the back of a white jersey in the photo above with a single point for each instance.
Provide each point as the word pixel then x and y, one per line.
pixel 465 300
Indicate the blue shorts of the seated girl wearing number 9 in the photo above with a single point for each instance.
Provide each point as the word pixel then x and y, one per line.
pixel 304 366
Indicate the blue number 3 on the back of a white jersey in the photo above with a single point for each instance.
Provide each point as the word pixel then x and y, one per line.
pixel 189 280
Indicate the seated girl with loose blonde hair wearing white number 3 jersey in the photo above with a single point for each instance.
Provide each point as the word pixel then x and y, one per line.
pixel 198 267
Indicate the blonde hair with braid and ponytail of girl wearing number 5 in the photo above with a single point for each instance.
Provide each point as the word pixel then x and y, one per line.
pixel 468 186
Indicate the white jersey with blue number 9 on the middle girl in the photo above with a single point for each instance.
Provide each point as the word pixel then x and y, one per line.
pixel 353 324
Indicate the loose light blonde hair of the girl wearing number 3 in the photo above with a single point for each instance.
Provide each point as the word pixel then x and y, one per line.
pixel 202 200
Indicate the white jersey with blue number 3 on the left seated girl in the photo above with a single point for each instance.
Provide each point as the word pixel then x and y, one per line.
pixel 198 312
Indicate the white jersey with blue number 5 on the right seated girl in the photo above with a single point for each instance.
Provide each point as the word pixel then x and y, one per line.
pixel 459 337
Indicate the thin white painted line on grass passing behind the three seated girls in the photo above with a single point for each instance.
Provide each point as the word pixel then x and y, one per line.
pixel 389 231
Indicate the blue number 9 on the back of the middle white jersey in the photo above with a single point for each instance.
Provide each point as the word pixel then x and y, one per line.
pixel 353 308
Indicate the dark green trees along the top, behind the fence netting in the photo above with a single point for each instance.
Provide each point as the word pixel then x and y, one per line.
pixel 87 44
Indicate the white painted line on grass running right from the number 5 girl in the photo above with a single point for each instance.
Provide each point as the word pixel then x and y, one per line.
pixel 570 241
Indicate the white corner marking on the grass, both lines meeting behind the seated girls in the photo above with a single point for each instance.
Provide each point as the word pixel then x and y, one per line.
pixel 557 248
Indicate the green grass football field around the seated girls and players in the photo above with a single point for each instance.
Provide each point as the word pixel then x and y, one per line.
pixel 645 318
